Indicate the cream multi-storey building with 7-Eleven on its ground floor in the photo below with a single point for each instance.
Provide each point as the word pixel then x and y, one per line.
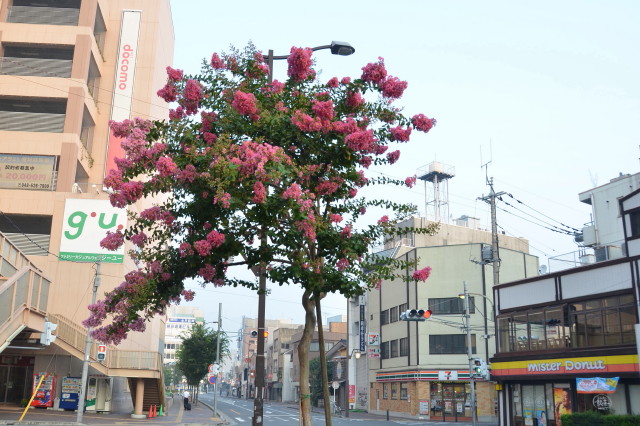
pixel 421 369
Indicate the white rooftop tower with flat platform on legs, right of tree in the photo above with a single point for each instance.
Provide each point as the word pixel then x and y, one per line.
pixel 438 174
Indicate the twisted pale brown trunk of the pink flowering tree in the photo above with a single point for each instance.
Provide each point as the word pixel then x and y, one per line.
pixel 303 358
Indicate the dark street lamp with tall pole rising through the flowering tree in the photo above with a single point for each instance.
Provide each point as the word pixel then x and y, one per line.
pixel 337 48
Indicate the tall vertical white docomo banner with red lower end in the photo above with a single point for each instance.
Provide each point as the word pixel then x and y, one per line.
pixel 123 80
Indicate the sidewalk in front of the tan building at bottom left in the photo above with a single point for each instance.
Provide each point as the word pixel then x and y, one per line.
pixel 200 415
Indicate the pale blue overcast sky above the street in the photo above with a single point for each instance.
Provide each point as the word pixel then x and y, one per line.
pixel 546 92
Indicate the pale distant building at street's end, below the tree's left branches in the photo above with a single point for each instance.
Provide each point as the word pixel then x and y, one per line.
pixel 180 319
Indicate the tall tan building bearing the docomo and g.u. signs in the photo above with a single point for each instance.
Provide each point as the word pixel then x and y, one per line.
pixel 68 67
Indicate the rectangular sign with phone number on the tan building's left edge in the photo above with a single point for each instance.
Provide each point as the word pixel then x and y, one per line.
pixel 33 172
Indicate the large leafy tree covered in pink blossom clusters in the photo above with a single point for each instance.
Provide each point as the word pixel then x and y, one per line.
pixel 243 160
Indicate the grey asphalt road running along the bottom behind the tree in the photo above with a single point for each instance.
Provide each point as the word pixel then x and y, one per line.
pixel 240 412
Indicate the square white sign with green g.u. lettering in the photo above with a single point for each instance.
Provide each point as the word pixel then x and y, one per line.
pixel 85 224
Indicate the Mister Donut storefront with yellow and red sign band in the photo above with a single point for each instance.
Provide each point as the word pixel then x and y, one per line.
pixel 537 392
